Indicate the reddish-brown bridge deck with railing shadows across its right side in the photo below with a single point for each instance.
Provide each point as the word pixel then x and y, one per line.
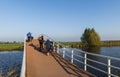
pixel 41 65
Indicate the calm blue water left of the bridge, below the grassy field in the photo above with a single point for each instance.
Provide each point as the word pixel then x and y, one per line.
pixel 9 60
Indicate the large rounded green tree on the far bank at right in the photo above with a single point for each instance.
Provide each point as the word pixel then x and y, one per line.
pixel 90 38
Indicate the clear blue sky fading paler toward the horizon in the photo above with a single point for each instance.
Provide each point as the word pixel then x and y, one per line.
pixel 63 20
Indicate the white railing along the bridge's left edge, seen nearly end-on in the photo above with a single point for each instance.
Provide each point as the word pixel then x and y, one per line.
pixel 23 68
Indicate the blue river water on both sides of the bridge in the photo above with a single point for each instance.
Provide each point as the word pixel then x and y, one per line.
pixel 8 60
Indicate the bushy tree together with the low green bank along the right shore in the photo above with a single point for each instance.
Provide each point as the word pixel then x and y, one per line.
pixel 90 38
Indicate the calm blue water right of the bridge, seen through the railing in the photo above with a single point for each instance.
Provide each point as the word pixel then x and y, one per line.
pixel 107 51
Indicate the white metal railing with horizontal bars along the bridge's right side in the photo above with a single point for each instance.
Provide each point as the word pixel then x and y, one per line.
pixel 85 58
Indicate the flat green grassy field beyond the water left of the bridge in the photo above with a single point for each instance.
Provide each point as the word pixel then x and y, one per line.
pixel 11 46
